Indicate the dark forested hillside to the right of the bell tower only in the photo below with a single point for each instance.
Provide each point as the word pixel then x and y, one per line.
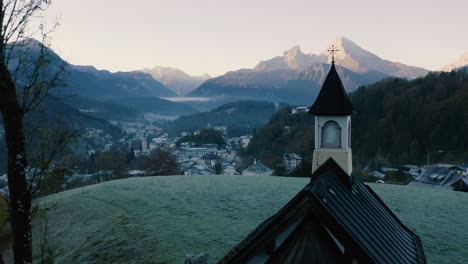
pixel 399 121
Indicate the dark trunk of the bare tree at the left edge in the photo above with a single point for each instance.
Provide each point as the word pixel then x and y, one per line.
pixel 20 198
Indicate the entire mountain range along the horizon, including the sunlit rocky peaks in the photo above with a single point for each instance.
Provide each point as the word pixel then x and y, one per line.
pixel 295 77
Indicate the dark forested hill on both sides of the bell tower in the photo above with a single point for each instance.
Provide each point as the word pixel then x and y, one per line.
pixel 396 122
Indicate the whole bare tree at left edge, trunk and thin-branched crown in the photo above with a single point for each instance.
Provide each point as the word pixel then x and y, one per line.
pixel 25 81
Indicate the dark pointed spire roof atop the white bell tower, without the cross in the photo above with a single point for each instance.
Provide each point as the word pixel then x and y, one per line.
pixel 332 99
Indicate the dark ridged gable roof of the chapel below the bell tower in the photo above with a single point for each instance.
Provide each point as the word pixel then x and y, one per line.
pixel 339 208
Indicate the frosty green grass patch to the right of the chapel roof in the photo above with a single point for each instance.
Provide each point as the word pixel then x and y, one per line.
pixel 438 217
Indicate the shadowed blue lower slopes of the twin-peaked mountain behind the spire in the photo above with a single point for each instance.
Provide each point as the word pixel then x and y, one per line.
pixel 282 85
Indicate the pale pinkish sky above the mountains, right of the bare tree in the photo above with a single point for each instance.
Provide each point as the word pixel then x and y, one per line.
pixel 215 36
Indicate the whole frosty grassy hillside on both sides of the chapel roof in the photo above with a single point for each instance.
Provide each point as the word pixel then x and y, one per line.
pixel 161 219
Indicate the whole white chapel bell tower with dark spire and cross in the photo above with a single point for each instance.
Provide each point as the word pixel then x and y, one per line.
pixel 332 110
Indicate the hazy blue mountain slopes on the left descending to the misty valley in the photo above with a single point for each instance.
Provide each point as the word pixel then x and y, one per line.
pixel 103 94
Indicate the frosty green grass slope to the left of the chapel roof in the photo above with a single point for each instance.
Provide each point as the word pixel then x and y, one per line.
pixel 161 219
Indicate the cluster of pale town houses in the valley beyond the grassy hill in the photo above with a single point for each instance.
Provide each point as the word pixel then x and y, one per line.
pixel 202 160
